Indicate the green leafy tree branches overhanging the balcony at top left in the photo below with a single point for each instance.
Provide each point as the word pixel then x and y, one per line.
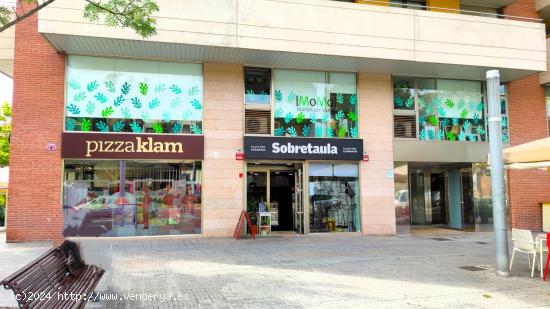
pixel 134 14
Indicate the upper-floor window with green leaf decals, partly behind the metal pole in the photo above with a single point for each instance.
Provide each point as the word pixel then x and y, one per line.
pixel 443 109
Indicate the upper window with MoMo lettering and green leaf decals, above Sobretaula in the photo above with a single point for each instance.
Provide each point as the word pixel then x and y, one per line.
pixel 315 104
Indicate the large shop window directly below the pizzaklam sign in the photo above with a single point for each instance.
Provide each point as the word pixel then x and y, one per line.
pixel 157 199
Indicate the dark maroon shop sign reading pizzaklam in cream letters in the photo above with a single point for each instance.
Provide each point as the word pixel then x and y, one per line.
pixel 131 146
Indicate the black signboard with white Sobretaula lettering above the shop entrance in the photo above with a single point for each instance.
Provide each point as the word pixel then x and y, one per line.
pixel 288 148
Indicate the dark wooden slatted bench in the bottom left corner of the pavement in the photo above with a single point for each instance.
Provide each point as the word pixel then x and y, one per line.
pixel 57 279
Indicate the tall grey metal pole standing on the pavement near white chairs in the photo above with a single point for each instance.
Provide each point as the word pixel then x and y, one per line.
pixel 497 173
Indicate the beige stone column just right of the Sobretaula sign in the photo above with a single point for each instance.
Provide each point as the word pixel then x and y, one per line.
pixel 376 129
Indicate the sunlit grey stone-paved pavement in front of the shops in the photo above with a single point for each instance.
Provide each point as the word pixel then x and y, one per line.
pixel 337 270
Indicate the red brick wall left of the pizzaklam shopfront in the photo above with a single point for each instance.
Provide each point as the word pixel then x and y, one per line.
pixel 34 205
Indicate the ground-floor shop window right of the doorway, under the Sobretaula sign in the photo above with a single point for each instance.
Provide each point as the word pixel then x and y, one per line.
pixel 334 197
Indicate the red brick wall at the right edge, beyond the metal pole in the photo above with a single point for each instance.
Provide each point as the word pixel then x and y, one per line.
pixel 527 112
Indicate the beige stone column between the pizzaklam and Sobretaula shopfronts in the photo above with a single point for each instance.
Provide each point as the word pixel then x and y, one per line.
pixel 223 189
